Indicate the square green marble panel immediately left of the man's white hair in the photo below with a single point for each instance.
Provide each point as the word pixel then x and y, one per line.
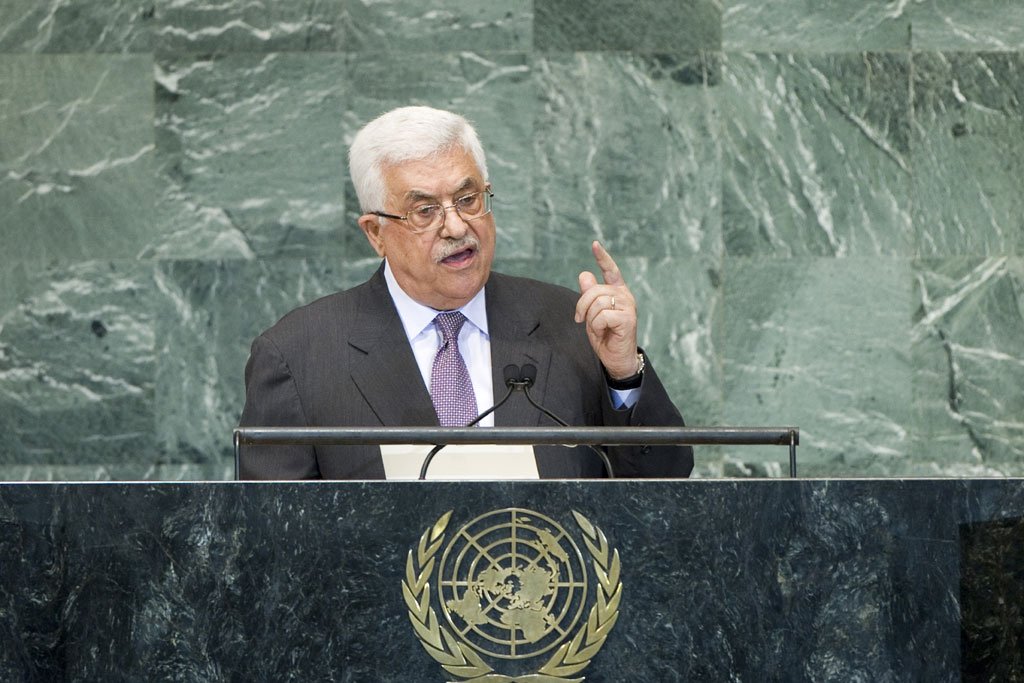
pixel 252 156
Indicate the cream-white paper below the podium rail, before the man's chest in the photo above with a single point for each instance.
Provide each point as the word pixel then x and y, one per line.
pixel 461 462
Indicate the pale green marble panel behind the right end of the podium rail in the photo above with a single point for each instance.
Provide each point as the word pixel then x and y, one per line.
pixel 822 345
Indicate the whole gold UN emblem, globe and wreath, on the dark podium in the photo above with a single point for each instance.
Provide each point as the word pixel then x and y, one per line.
pixel 513 587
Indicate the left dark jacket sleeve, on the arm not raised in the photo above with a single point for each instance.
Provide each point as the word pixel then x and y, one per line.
pixel 273 401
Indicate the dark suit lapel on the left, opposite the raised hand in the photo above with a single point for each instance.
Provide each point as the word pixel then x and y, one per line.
pixel 383 367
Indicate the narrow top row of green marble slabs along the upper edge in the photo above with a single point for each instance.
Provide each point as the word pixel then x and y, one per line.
pixel 659 26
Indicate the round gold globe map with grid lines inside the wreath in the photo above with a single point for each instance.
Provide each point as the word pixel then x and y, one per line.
pixel 513 584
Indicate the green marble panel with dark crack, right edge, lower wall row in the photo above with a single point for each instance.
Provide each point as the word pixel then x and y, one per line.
pixel 969 366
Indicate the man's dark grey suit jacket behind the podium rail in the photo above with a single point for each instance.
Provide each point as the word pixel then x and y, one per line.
pixel 346 361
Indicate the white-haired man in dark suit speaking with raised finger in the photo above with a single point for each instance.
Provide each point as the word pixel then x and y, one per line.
pixel 424 343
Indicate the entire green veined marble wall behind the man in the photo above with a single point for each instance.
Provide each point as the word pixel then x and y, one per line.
pixel 821 208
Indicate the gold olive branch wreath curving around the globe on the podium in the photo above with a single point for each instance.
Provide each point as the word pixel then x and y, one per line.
pixel 462 661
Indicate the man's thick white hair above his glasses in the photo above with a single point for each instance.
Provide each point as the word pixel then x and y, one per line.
pixel 408 134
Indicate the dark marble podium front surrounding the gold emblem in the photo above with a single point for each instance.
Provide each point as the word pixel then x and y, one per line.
pixel 722 580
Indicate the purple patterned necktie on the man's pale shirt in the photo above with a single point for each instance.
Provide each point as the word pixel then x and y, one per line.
pixel 450 387
